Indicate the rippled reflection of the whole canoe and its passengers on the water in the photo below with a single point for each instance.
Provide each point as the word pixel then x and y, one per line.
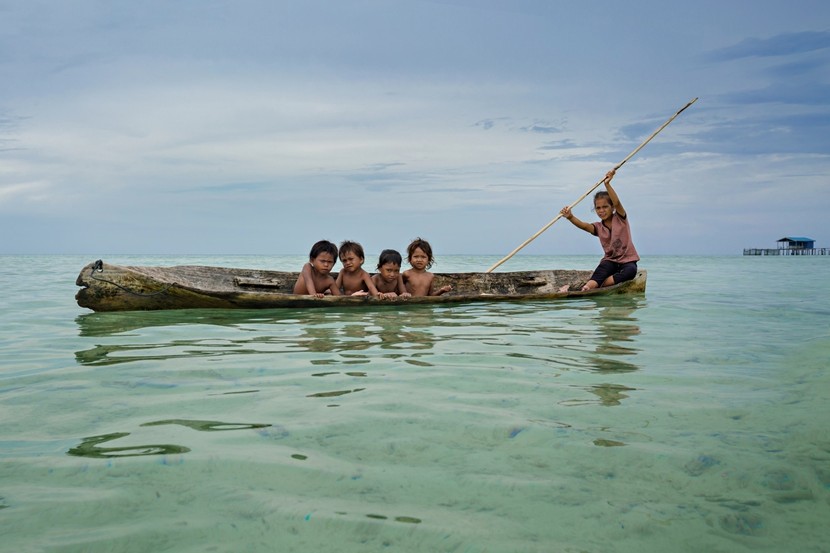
pixel 547 335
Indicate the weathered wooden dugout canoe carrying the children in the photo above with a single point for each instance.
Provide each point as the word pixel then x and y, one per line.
pixel 106 287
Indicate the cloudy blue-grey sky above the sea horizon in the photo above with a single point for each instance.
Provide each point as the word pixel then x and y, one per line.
pixel 258 127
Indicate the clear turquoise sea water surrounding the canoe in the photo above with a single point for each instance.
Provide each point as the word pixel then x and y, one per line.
pixel 693 418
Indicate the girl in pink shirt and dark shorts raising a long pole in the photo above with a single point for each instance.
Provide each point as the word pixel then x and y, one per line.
pixel 620 261
